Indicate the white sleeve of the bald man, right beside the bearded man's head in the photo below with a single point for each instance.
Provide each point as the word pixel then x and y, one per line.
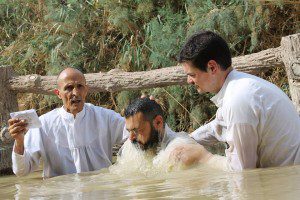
pixel 117 128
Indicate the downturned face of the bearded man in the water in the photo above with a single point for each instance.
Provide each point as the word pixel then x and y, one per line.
pixel 142 132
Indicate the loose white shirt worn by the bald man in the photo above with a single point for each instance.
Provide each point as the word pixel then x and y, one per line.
pixel 71 145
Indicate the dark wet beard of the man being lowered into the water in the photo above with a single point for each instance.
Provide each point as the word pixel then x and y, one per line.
pixel 152 143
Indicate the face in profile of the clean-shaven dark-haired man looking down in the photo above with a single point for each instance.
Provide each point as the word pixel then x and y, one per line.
pixel 202 80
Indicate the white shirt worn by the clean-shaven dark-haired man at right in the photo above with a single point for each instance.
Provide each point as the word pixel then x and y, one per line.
pixel 257 120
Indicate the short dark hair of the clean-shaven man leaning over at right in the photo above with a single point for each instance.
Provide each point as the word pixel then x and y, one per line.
pixel 203 47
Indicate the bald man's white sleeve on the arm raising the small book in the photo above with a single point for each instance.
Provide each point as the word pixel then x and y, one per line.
pixel 29 161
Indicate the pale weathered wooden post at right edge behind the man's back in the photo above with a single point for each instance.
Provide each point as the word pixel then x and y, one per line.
pixel 291 59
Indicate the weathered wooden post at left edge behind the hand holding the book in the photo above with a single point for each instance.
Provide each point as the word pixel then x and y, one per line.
pixel 8 103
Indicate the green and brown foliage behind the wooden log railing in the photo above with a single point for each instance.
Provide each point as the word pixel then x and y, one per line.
pixel 44 36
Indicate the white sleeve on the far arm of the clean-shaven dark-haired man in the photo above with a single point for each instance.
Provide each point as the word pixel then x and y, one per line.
pixel 207 134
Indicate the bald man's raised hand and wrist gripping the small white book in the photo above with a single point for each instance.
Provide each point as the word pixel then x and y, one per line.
pixel 17 129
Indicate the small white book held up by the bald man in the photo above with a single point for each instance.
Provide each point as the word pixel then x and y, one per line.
pixel 29 116
